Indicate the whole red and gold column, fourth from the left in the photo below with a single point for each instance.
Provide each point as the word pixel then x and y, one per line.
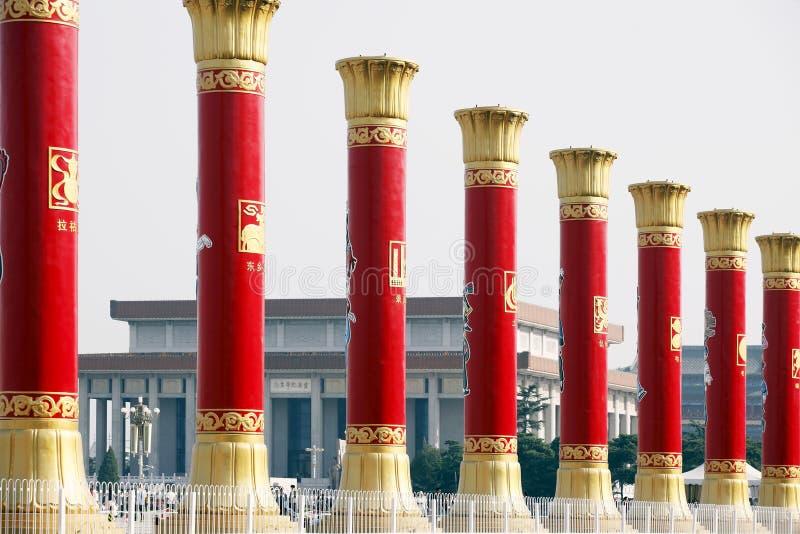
pixel 491 137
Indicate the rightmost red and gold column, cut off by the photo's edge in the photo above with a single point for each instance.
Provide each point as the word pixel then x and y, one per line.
pixel 780 470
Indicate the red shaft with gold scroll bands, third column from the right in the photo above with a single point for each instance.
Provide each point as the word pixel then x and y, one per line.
pixel 660 430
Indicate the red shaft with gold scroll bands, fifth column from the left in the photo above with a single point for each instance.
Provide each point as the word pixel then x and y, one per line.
pixel 583 306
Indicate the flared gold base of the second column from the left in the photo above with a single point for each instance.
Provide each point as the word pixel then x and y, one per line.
pixel 231 459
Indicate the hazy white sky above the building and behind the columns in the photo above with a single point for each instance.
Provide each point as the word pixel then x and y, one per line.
pixel 704 93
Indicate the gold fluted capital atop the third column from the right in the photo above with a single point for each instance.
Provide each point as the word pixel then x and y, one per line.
pixel 659 203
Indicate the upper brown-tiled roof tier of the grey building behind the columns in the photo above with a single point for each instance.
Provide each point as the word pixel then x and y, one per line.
pixel 143 310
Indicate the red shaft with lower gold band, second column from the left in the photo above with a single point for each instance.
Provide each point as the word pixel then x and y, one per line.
pixel 230 300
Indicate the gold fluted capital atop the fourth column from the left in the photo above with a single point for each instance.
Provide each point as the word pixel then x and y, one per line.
pixel 491 133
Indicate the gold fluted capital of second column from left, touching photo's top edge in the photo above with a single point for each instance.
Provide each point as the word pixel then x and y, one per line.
pixel 231 29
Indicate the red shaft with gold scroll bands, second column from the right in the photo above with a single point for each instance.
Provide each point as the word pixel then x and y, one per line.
pixel 727 365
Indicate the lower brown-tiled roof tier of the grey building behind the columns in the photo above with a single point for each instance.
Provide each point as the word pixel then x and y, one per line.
pixel 316 361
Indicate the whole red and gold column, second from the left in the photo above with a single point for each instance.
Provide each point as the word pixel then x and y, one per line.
pixel 230 48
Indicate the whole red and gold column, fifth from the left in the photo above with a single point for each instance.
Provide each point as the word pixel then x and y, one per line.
pixel 583 187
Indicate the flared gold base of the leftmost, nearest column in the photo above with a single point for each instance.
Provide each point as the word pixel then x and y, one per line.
pixel 47 454
